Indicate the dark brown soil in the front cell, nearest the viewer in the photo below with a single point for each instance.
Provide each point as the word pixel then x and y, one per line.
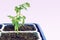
pixel 20 36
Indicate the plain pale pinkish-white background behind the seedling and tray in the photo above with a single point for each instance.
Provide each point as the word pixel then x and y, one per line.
pixel 44 12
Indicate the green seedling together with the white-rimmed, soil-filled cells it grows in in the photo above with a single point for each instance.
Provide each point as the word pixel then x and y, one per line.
pixel 18 30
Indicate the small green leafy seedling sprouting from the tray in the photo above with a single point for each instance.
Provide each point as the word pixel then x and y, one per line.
pixel 19 17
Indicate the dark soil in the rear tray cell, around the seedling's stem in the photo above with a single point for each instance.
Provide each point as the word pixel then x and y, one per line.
pixel 22 28
